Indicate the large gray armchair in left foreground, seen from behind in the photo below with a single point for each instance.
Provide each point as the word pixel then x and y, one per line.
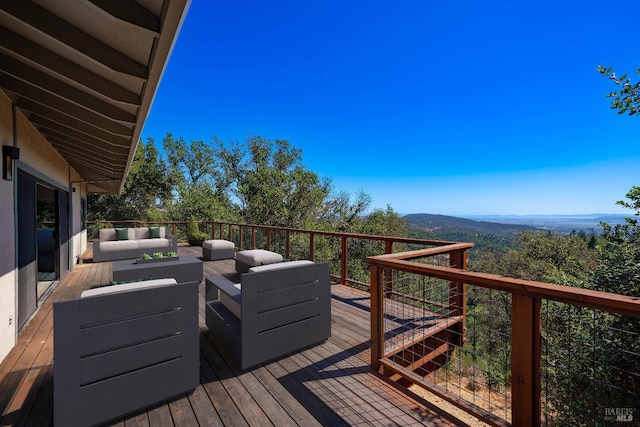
pixel 122 348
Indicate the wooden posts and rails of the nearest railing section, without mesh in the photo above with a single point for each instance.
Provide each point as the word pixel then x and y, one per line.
pixel 526 298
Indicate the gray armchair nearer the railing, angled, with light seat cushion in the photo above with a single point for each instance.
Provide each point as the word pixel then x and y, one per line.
pixel 275 310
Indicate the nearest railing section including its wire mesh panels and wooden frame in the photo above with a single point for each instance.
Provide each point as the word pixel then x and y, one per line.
pixel 523 353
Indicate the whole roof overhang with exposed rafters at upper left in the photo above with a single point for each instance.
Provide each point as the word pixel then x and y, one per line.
pixel 84 73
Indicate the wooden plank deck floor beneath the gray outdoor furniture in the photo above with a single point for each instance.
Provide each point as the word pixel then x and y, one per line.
pixel 328 384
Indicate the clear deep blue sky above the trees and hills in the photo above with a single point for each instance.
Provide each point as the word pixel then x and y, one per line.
pixel 455 108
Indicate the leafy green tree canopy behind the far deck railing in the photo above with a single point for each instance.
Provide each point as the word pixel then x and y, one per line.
pixel 259 181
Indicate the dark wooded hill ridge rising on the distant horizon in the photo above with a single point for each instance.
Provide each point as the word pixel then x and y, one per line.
pixel 486 236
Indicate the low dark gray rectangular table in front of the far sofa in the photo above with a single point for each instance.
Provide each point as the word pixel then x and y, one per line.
pixel 185 269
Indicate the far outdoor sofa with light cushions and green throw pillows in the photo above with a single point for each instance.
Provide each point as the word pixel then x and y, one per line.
pixel 107 246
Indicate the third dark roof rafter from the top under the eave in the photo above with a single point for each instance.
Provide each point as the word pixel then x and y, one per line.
pixel 43 57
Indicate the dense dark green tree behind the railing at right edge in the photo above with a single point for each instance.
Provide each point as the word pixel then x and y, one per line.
pixel 604 347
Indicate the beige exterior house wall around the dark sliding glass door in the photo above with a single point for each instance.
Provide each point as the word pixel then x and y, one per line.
pixel 40 159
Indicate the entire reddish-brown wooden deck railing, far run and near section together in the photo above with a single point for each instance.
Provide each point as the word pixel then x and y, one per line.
pixel 526 298
